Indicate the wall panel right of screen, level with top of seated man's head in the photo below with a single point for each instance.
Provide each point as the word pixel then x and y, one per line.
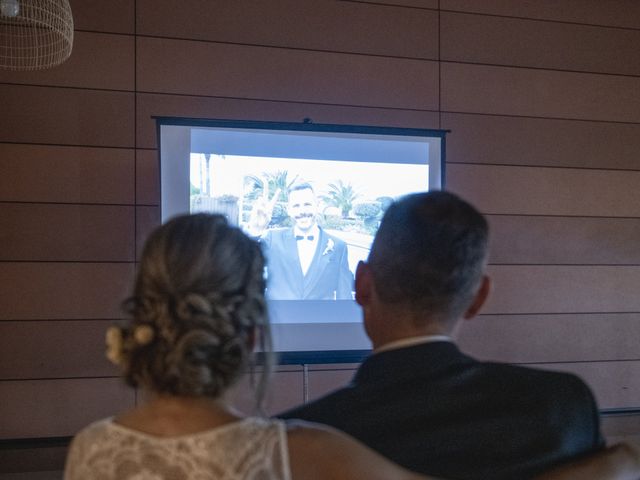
pixel 547 191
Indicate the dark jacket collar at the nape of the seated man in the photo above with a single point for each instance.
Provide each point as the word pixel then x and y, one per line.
pixel 423 361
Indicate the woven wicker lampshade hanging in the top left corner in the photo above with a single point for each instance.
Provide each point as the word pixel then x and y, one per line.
pixel 35 34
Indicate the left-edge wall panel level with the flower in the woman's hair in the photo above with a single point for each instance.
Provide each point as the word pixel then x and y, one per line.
pixel 54 349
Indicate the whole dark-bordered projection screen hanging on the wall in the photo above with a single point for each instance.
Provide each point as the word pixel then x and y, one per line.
pixel 338 178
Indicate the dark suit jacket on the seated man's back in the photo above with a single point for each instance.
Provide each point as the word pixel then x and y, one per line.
pixel 437 411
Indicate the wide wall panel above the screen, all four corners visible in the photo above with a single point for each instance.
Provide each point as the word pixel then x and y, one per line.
pixel 283 74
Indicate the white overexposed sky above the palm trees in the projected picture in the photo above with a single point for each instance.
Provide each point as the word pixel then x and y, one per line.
pixel 369 180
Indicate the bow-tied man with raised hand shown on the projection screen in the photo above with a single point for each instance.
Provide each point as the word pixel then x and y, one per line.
pixel 303 262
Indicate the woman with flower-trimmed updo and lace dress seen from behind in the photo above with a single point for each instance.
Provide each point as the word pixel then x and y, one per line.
pixel 197 309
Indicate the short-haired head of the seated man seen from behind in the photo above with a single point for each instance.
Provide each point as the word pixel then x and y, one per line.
pixel 427 260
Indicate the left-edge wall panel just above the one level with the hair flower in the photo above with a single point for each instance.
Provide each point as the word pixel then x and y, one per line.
pixel 63 290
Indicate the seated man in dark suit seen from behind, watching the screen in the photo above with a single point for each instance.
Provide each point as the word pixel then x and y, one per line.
pixel 420 401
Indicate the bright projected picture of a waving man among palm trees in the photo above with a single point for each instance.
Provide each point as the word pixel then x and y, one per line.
pixel 315 218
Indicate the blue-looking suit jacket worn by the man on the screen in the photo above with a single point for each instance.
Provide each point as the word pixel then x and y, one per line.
pixel 328 277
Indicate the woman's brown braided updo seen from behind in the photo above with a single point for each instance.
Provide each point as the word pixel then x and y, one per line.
pixel 198 302
